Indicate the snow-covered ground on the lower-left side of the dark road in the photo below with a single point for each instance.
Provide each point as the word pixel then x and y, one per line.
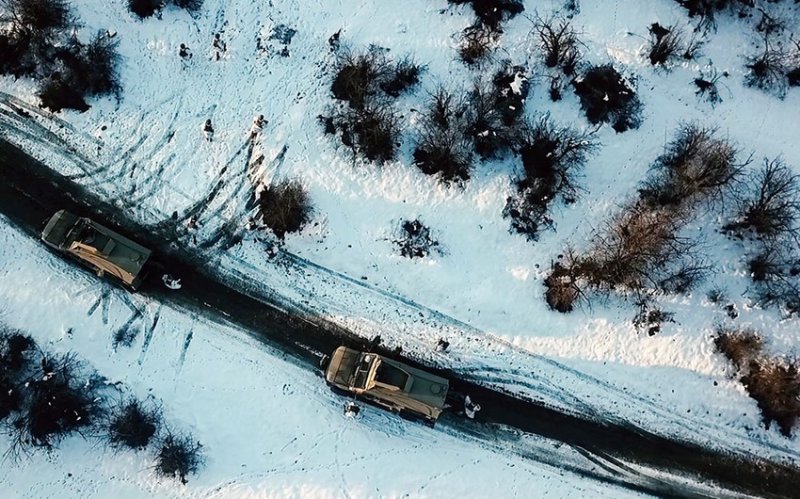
pixel 268 428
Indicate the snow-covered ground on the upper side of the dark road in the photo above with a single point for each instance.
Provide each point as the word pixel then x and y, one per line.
pixel 484 293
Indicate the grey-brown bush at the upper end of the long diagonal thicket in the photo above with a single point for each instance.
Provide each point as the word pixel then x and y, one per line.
pixel 696 166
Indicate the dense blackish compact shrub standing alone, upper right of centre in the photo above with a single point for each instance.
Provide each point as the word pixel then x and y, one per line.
pixel 606 98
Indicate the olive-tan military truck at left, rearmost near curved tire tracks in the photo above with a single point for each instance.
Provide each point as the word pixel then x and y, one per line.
pixel 97 247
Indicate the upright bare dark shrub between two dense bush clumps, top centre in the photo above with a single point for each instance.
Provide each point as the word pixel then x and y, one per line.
pixel 443 146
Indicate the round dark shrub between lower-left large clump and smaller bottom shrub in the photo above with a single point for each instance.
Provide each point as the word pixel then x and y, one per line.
pixel 133 425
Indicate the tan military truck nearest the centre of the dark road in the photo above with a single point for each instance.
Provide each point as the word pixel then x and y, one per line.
pixel 393 385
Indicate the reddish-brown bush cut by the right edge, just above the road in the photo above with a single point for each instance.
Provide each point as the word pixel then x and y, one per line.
pixel 775 385
